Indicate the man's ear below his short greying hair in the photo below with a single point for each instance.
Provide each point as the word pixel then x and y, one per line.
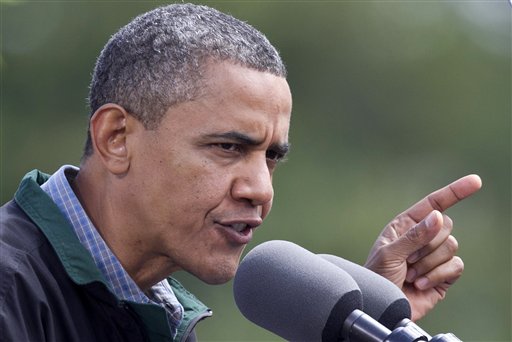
pixel 109 129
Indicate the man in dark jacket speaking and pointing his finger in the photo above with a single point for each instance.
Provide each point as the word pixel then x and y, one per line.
pixel 190 112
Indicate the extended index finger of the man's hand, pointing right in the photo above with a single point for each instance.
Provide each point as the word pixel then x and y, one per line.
pixel 444 198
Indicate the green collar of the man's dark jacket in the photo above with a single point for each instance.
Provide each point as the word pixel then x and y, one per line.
pixel 81 268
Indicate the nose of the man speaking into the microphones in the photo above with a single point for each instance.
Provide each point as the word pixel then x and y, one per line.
pixel 253 183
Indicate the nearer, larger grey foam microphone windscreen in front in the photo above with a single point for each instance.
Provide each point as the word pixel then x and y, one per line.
pixel 294 293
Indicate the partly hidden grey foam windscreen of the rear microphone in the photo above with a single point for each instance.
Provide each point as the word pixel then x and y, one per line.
pixel 382 299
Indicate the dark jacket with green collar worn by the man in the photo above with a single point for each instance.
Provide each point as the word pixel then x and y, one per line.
pixel 51 289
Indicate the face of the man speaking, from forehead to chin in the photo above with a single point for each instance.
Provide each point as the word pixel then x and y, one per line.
pixel 203 180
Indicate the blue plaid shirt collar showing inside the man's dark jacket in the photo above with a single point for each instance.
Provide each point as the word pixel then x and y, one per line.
pixel 121 284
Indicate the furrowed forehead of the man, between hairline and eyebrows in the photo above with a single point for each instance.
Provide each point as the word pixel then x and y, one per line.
pixel 236 98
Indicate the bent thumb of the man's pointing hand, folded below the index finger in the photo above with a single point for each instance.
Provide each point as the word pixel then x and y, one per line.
pixel 419 235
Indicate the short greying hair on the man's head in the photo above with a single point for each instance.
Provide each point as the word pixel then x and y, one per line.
pixel 156 60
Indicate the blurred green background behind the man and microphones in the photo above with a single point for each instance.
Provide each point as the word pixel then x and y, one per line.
pixel 392 100
